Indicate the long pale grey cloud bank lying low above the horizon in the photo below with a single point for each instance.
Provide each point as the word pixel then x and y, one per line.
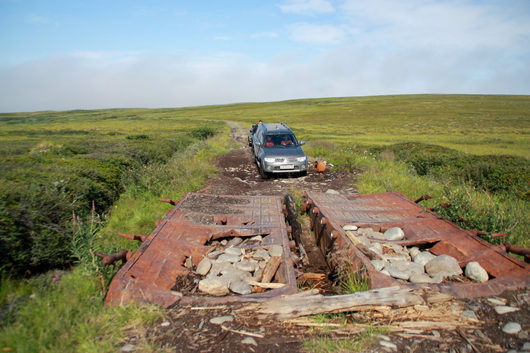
pixel 185 80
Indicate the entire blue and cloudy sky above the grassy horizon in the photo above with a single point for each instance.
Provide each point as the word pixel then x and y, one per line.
pixel 129 53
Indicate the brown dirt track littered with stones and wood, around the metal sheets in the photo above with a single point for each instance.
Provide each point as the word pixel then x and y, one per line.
pixel 450 326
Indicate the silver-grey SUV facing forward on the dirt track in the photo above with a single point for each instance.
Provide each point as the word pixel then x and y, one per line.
pixel 276 150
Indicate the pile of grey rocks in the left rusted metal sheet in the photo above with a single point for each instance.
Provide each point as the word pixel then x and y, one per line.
pixel 232 268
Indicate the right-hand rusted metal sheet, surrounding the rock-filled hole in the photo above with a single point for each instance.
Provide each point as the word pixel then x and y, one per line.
pixel 329 213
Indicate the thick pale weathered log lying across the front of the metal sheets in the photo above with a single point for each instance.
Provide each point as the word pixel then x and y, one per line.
pixel 290 307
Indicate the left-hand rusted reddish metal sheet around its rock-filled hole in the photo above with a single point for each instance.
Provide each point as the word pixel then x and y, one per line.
pixel 150 274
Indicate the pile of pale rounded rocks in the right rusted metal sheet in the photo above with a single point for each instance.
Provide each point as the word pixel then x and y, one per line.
pixel 410 264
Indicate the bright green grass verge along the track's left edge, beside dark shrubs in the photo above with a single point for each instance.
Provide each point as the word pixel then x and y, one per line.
pixel 69 316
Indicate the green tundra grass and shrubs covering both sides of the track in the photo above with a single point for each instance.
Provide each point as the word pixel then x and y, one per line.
pixel 69 181
